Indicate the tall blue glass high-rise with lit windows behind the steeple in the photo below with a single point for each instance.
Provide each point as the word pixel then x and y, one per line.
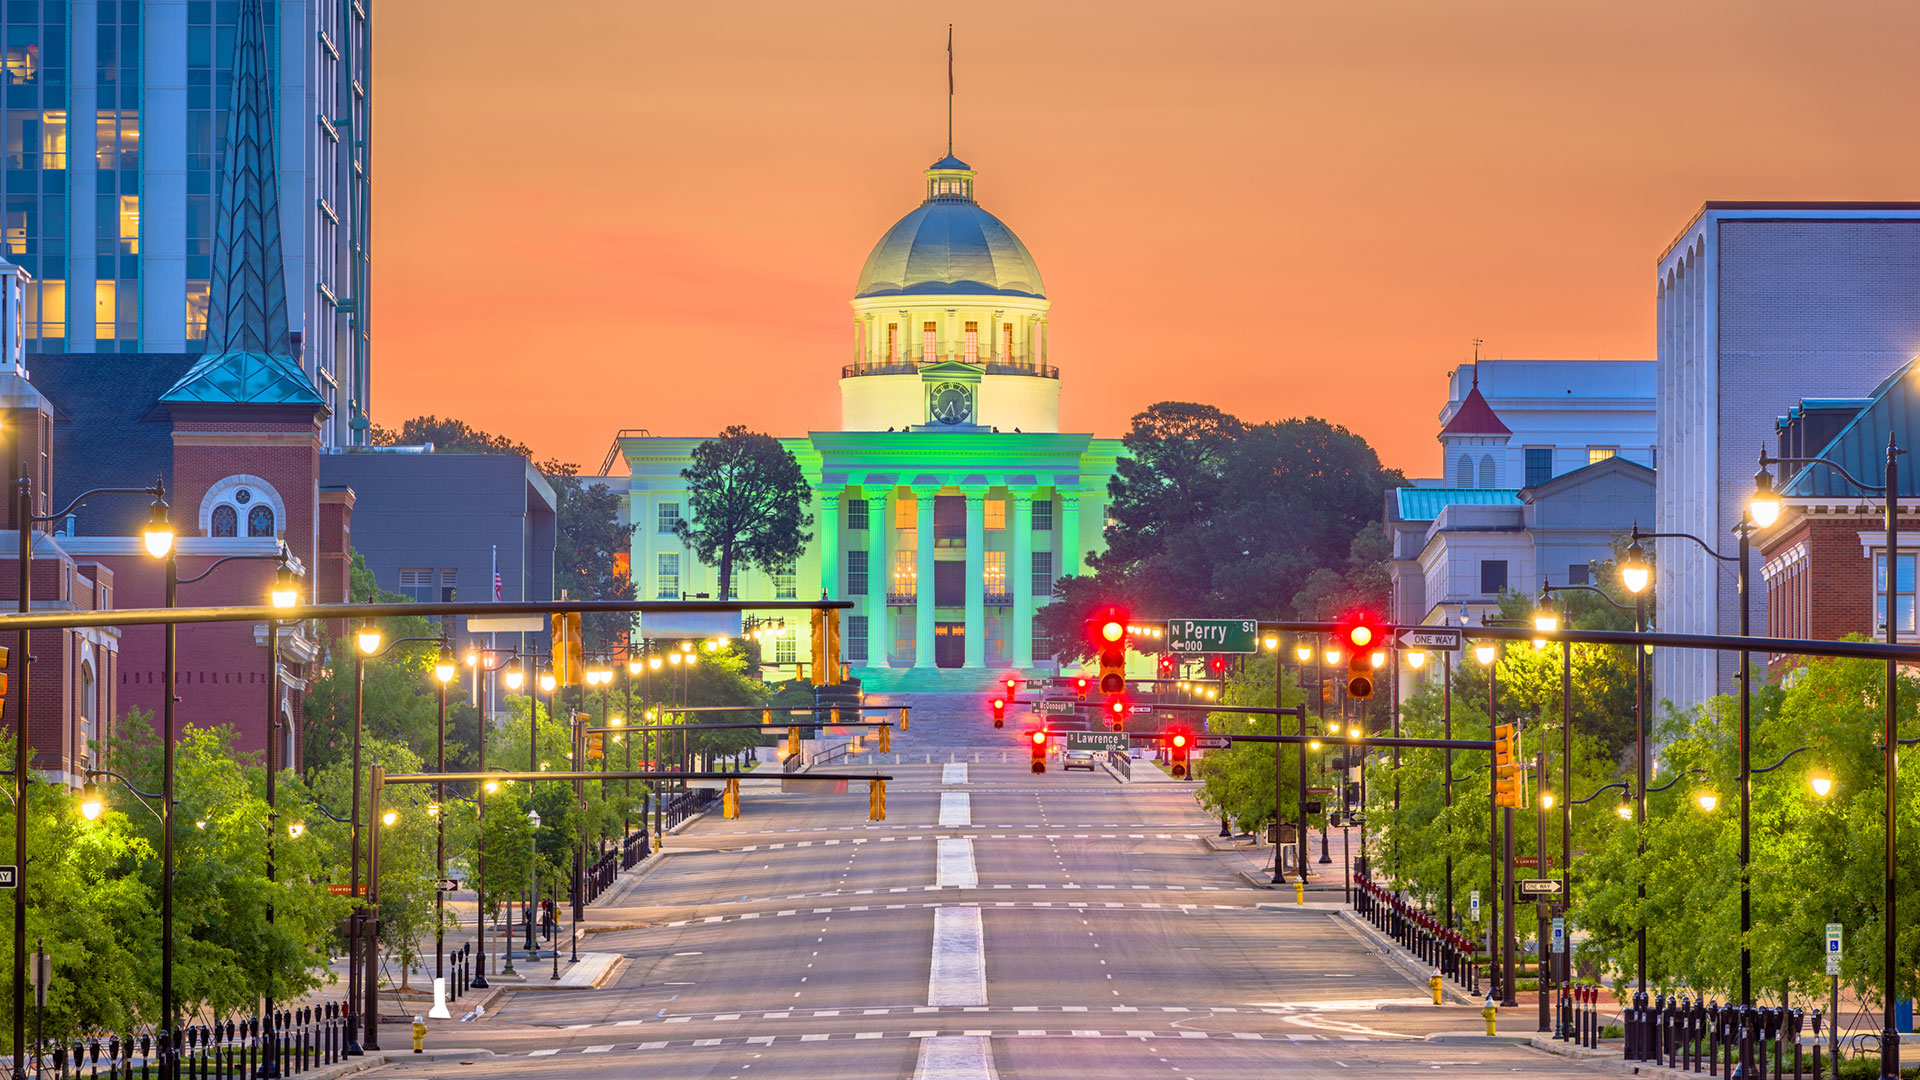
pixel 116 126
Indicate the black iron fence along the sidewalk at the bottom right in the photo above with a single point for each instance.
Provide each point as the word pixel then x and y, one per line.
pixel 1704 1037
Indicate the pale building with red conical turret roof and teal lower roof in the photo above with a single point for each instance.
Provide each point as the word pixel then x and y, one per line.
pixel 1545 462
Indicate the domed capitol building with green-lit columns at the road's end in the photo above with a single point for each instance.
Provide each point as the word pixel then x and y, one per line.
pixel 949 501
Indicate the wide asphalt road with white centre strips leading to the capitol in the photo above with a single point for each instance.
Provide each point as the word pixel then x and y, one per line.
pixel 1086 931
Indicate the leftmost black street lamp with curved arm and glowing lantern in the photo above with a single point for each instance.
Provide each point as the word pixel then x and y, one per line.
pixel 158 541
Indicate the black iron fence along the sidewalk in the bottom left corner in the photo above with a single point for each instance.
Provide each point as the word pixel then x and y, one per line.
pixel 295 1041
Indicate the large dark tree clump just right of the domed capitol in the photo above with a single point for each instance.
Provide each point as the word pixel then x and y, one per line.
pixel 1212 516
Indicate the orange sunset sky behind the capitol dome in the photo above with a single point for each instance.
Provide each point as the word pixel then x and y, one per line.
pixel 608 214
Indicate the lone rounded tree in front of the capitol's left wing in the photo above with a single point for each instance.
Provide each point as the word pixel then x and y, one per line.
pixel 748 501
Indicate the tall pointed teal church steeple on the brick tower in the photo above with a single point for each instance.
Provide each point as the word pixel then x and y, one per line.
pixel 249 355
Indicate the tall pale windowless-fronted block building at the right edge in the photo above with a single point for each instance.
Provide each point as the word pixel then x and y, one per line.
pixel 1760 307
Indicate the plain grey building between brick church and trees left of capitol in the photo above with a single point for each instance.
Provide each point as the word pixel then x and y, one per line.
pixel 433 526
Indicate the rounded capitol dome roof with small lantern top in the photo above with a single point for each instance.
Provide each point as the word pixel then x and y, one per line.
pixel 949 247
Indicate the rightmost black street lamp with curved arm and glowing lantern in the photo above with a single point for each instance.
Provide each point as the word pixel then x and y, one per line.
pixel 1764 508
